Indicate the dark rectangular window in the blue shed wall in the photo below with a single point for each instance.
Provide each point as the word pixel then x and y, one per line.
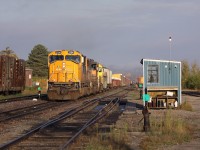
pixel 153 74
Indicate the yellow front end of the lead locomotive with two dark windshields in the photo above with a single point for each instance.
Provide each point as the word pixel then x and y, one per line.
pixel 65 74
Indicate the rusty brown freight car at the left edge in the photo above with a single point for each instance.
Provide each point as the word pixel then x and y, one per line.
pixel 12 75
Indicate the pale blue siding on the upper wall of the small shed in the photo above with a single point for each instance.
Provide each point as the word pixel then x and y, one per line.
pixel 162 73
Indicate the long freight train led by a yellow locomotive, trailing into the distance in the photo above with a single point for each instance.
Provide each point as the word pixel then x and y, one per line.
pixel 73 75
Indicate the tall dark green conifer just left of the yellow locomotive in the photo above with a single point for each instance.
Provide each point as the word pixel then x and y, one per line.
pixel 38 61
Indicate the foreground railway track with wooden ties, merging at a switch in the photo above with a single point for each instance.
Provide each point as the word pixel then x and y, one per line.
pixel 66 127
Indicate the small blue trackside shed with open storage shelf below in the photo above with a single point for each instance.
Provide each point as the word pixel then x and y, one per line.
pixel 162 82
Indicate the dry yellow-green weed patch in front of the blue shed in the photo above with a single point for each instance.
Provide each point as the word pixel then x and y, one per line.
pixel 166 130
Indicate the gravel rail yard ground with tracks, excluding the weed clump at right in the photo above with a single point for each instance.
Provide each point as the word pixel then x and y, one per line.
pixel 76 125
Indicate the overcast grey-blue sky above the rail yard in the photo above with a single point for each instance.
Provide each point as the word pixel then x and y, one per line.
pixel 117 33
